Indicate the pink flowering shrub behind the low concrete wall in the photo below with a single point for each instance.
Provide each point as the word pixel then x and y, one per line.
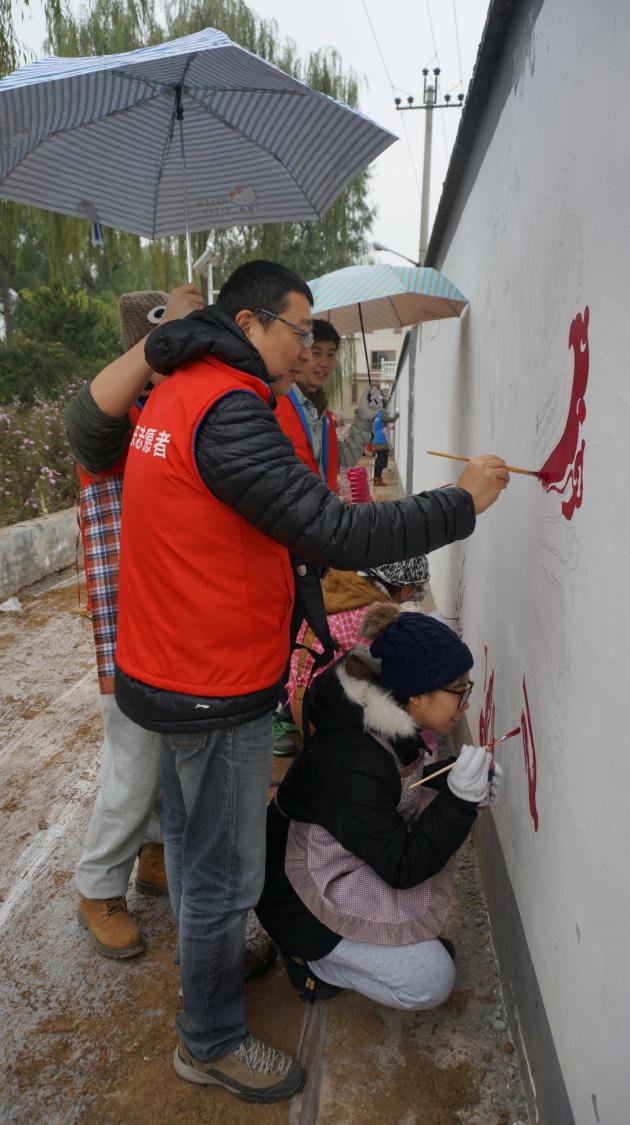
pixel 38 473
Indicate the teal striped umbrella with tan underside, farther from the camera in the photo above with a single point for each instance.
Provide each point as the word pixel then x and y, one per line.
pixel 371 298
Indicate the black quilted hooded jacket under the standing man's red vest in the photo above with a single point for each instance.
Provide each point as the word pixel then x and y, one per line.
pixel 247 462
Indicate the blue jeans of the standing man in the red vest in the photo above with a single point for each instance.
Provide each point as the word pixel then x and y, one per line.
pixel 215 812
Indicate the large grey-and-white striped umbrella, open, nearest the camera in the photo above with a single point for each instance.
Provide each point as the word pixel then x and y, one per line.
pixel 104 138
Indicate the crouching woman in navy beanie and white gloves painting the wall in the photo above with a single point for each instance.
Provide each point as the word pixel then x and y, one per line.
pixel 359 867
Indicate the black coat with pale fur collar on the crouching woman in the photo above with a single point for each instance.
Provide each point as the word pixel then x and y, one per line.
pixel 346 781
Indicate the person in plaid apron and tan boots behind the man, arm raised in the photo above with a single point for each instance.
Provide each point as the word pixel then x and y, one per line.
pixel 127 821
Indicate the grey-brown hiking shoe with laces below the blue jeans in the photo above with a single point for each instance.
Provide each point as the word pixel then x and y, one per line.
pixel 254 1072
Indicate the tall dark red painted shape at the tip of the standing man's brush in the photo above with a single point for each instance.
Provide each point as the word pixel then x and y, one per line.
pixel 564 470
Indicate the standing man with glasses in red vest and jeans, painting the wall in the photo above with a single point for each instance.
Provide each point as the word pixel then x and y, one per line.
pixel 214 498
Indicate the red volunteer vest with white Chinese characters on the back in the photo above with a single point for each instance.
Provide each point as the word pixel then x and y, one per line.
pixel 205 599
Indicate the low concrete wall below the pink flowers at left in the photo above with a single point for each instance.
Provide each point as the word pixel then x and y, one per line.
pixel 35 548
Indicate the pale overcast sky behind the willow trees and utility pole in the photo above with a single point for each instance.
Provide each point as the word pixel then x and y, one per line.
pixel 411 34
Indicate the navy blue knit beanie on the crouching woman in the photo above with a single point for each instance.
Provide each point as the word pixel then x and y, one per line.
pixel 419 655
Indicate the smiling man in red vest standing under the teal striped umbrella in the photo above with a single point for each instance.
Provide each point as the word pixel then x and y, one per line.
pixel 305 418
